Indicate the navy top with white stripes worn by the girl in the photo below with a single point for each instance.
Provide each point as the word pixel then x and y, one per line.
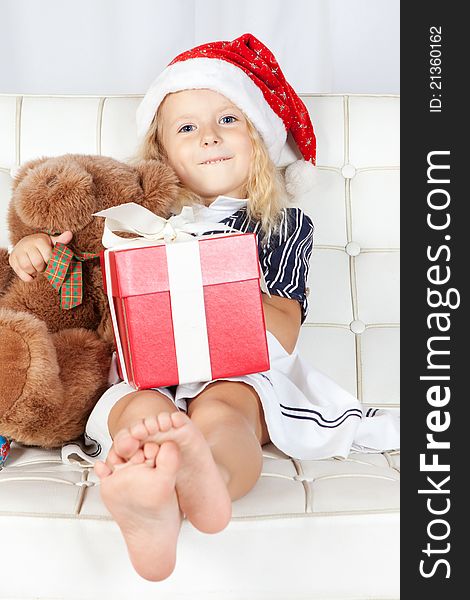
pixel 284 255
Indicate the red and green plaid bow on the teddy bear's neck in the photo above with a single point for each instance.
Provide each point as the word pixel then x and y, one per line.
pixel 64 272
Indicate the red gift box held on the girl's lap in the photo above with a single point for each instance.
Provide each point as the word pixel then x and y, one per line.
pixel 187 311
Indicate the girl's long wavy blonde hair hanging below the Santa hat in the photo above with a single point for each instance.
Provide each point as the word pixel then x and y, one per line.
pixel 265 186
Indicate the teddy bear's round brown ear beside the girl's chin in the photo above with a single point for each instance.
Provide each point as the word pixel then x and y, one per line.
pixel 159 184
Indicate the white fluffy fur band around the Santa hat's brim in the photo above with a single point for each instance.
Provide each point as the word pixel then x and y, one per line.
pixel 225 78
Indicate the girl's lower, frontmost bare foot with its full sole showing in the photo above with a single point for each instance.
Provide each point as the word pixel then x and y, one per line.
pixel 140 495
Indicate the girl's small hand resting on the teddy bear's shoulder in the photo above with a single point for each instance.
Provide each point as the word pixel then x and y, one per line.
pixel 32 253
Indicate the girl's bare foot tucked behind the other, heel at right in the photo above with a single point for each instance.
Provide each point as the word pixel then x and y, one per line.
pixel 202 491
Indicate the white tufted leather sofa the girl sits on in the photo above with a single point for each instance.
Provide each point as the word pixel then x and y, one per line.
pixel 324 529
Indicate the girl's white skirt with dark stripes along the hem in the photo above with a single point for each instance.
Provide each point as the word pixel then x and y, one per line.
pixel 308 415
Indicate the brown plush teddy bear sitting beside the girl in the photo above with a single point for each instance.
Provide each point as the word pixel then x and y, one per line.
pixel 54 361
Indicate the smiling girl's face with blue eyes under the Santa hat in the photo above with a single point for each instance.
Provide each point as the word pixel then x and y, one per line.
pixel 200 126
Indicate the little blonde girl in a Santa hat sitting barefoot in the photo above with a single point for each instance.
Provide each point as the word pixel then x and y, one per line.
pixel 219 115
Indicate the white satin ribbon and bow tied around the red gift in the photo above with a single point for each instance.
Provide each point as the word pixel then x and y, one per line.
pixel 186 292
